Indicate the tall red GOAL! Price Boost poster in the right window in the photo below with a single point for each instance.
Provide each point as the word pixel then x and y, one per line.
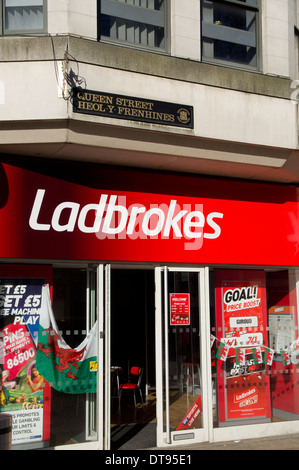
pixel 241 319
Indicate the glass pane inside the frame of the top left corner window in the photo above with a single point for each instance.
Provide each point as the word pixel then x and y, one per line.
pixel 24 15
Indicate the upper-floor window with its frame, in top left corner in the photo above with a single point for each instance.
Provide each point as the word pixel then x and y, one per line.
pixel 23 16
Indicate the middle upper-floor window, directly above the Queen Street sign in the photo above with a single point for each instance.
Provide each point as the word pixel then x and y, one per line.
pixel 140 23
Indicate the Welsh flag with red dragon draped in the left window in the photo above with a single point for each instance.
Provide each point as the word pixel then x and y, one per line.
pixel 65 369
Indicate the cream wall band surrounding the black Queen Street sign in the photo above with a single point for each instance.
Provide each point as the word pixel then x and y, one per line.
pixel 219 114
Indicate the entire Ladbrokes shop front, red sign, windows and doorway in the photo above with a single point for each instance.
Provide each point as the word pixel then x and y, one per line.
pixel 143 309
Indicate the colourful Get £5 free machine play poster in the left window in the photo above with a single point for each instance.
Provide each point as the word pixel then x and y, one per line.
pixel 23 393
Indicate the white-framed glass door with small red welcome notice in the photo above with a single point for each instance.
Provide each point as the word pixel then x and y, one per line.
pixel 182 357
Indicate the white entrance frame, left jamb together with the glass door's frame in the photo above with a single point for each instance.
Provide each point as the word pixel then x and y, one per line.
pixel 205 434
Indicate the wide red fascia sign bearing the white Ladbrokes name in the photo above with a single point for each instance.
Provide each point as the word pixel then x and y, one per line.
pixel 209 221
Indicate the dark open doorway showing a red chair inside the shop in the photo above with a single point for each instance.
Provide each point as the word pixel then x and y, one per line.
pixel 133 352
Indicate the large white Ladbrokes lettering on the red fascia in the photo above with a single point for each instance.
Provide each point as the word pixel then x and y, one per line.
pixel 111 218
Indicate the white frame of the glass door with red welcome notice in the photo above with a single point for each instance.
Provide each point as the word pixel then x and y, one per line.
pixel 165 437
